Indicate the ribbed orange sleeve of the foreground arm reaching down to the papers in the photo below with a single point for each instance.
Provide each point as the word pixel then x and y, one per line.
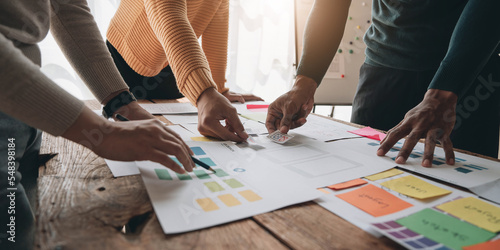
pixel 169 21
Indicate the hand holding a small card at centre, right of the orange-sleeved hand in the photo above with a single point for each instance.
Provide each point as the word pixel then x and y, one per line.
pixel 291 109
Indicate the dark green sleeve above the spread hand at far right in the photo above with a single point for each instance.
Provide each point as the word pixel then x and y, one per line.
pixel 474 40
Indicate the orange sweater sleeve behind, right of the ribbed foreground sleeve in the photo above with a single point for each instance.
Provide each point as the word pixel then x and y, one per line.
pixel 214 43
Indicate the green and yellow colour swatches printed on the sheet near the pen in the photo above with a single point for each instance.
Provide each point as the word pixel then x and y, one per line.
pixel 228 191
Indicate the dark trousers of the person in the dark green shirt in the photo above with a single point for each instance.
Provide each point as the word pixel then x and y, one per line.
pixel 384 95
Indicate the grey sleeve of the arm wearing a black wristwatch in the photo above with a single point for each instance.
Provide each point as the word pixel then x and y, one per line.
pixel 78 36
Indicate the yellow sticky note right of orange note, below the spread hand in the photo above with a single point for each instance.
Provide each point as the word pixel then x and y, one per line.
pixel 414 187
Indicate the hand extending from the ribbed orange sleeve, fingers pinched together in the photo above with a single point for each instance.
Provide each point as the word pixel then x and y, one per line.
pixel 213 107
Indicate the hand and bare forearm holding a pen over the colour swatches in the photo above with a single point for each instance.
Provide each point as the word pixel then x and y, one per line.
pixel 131 140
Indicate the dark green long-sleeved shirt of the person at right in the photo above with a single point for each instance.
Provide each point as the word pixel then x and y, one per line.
pixel 456 37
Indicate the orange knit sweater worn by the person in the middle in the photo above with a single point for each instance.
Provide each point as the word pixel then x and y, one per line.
pixel 151 34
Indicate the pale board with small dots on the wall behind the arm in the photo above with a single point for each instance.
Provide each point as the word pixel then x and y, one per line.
pixel 341 80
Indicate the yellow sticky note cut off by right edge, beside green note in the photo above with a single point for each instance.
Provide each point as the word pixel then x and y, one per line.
pixel 475 211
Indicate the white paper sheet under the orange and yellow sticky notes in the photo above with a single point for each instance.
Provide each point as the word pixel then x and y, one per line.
pixel 364 220
